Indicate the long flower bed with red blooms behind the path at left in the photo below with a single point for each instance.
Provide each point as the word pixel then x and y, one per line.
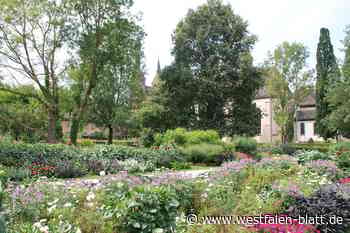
pixel 29 160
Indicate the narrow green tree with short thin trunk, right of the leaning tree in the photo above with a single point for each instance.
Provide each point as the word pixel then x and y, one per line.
pixel 119 81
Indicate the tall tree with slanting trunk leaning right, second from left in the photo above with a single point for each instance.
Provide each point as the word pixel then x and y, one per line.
pixel 88 31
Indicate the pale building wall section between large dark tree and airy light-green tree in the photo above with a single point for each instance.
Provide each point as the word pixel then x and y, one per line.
pixel 269 128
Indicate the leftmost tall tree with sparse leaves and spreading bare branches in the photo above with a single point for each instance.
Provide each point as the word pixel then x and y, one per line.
pixel 32 36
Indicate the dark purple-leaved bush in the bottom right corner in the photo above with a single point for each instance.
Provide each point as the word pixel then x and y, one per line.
pixel 329 201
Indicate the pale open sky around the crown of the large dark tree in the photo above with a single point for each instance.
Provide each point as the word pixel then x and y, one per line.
pixel 273 21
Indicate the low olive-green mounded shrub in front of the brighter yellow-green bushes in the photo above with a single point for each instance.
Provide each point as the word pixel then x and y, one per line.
pixel 204 153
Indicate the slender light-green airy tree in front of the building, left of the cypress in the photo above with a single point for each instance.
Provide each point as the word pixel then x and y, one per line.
pixel 288 83
